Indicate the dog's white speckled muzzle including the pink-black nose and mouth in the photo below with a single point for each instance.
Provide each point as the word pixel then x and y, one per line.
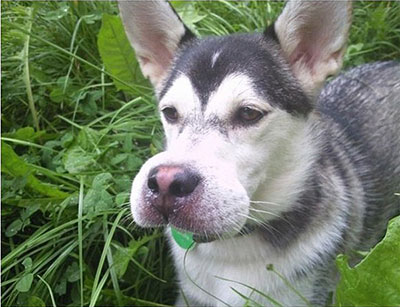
pixel 206 200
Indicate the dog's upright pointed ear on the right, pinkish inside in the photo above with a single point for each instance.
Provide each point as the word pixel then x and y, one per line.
pixel 313 36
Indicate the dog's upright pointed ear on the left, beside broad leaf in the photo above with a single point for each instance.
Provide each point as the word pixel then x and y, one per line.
pixel 155 32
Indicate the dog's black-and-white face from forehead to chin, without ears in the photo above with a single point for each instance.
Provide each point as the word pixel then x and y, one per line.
pixel 223 124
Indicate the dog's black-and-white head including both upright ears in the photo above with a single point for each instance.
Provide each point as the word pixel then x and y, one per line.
pixel 234 111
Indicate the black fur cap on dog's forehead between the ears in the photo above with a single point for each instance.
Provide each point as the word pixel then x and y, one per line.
pixel 255 55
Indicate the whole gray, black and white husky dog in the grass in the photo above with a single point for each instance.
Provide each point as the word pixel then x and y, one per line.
pixel 263 163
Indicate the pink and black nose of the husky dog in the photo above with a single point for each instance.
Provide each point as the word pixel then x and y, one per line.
pixel 173 180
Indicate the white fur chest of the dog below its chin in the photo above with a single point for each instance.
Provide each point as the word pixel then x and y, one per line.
pixel 227 272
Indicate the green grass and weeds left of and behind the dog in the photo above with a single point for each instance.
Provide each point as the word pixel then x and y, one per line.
pixel 72 142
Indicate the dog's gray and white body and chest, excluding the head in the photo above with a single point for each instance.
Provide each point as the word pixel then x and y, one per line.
pixel 354 174
